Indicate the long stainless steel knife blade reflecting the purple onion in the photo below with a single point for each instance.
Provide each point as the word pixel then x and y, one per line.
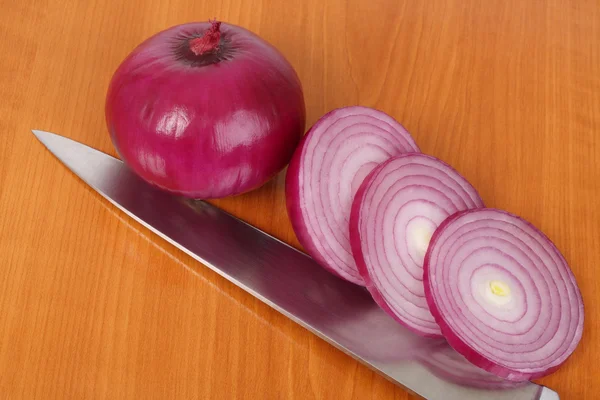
pixel 286 279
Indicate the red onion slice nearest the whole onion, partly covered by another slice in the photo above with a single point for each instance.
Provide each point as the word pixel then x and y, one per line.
pixel 325 173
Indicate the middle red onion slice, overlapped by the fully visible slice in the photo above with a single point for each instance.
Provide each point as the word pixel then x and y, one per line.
pixel 394 214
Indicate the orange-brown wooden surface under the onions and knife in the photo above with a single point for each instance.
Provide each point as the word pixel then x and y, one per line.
pixel 93 306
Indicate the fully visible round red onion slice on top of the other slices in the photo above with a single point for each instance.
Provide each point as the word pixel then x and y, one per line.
pixel 503 294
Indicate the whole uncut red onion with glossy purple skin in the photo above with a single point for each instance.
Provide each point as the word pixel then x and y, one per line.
pixel 206 126
